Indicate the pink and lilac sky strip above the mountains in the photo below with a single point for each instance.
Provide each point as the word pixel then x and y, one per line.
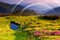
pixel 31 1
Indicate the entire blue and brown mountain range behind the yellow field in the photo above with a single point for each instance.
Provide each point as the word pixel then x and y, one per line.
pixel 6 8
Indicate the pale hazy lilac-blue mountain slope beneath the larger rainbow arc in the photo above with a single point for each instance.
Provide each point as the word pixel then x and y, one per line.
pixel 42 9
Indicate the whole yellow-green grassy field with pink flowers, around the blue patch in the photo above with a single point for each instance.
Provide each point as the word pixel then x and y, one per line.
pixel 28 25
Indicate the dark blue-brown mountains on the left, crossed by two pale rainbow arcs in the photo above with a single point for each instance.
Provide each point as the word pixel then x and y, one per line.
pixel 6 8
